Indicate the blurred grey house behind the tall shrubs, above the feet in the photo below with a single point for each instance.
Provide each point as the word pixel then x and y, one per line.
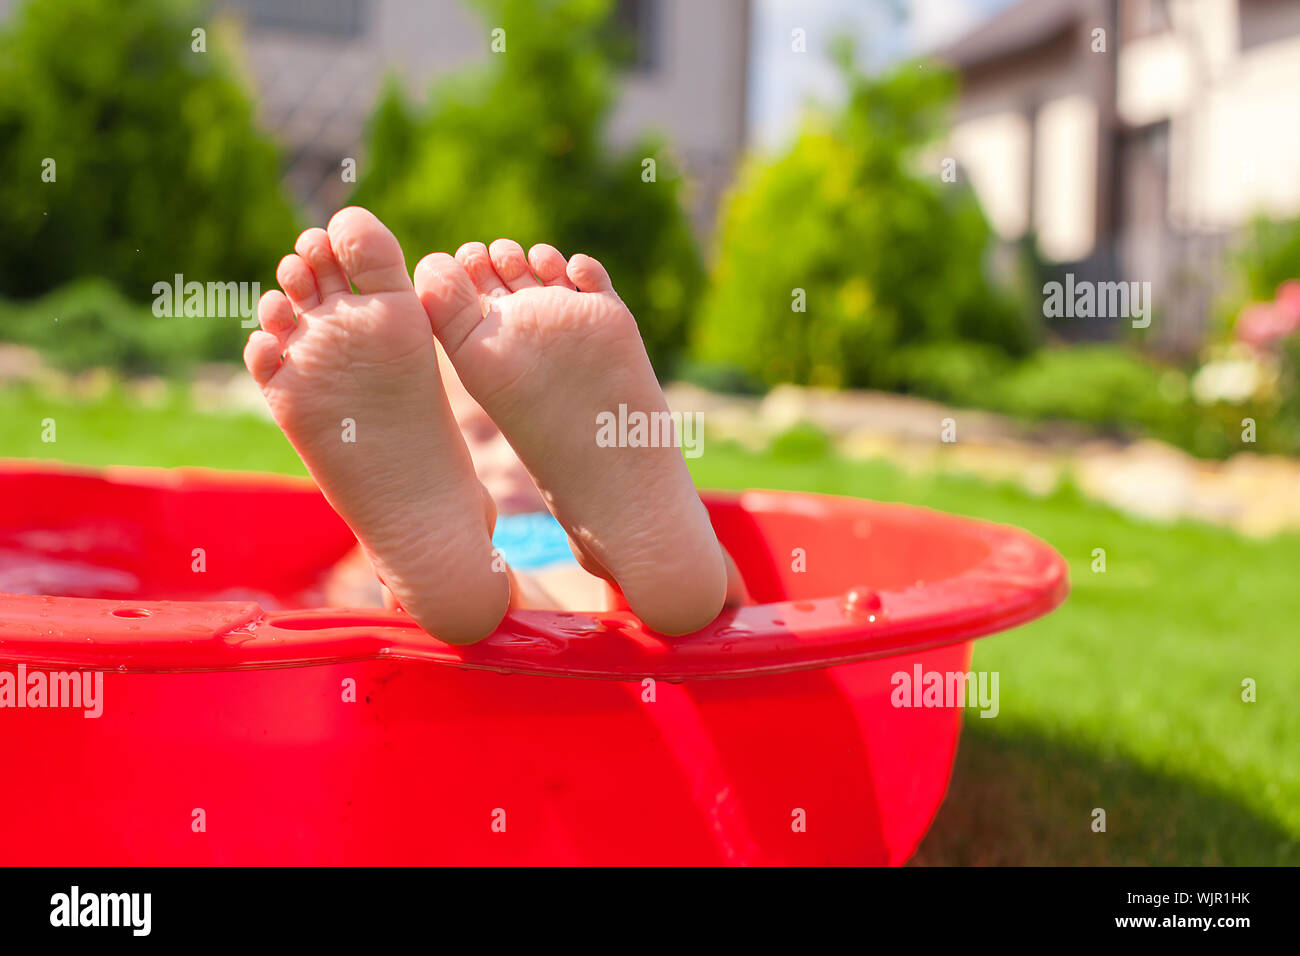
pixel 319 66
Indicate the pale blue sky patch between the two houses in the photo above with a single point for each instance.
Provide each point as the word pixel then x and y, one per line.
pixel 783 81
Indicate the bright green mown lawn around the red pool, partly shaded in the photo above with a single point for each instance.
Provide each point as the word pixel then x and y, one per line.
pixel 1128 699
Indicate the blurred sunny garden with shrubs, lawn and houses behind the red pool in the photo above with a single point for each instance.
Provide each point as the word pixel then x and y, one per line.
pixel 838 223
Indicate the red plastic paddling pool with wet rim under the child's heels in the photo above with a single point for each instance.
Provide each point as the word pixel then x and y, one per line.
pixel 229 734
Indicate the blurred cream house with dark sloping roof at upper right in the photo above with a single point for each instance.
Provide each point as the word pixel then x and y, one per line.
pixel 1134 139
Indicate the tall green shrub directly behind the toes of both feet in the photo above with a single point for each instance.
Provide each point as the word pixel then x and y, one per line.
pixel 519 150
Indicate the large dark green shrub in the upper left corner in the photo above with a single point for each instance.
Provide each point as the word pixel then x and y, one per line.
pixel 159 168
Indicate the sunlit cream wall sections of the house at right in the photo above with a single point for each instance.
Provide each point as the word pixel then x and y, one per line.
pixel 1234 118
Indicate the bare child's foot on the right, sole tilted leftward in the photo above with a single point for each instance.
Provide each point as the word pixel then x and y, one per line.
pixel 545 358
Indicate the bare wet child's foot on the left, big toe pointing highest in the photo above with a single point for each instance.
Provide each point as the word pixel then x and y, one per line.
pixel 354 383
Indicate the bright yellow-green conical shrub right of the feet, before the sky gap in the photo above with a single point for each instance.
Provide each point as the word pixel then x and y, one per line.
pixel 839 254
